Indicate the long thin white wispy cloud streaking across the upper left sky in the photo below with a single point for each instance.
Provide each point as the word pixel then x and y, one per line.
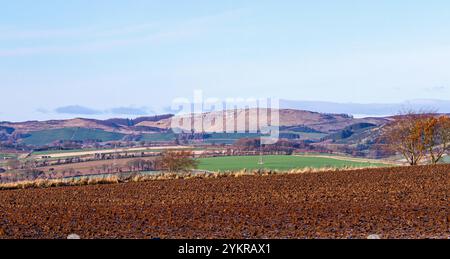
pixel 96 39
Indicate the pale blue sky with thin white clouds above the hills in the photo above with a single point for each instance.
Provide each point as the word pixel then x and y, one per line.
pixel 115 58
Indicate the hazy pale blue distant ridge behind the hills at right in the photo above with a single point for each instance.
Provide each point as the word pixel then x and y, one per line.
pixel 372 109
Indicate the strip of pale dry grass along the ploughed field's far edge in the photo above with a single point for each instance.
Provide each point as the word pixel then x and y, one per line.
pixel 119 178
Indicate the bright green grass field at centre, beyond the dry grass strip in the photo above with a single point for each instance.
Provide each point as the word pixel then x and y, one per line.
pixel 277 162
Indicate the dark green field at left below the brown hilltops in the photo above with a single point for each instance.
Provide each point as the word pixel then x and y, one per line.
pixel 40 138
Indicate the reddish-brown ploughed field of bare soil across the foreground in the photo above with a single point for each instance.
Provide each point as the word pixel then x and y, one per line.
pixel 406 202
